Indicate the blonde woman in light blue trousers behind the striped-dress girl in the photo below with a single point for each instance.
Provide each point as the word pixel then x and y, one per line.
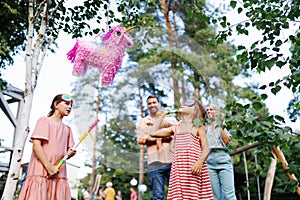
pixel 219 161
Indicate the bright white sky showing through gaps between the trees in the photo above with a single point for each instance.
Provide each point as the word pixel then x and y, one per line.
pixel 56 77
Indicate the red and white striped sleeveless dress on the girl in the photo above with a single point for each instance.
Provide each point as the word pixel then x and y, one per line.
pixel 183 185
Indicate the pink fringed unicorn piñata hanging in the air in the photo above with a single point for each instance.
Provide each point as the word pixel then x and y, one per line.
pixel 107 57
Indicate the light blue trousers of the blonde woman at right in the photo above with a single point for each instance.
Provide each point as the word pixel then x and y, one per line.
pixel 221 175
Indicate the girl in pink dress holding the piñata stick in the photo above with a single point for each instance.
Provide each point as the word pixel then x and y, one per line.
pixel 51 141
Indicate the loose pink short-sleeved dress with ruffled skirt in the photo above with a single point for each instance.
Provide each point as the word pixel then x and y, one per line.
pixel 57 138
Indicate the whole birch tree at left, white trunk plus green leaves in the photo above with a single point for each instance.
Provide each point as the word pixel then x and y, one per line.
pixel 45 19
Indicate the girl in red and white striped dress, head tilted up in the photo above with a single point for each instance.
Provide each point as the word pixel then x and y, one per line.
pixel 189 177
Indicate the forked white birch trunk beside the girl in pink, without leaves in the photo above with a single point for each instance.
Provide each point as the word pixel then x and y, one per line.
pixel 32 58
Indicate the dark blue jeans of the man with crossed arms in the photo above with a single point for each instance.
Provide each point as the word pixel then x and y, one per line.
pixel 158 178
